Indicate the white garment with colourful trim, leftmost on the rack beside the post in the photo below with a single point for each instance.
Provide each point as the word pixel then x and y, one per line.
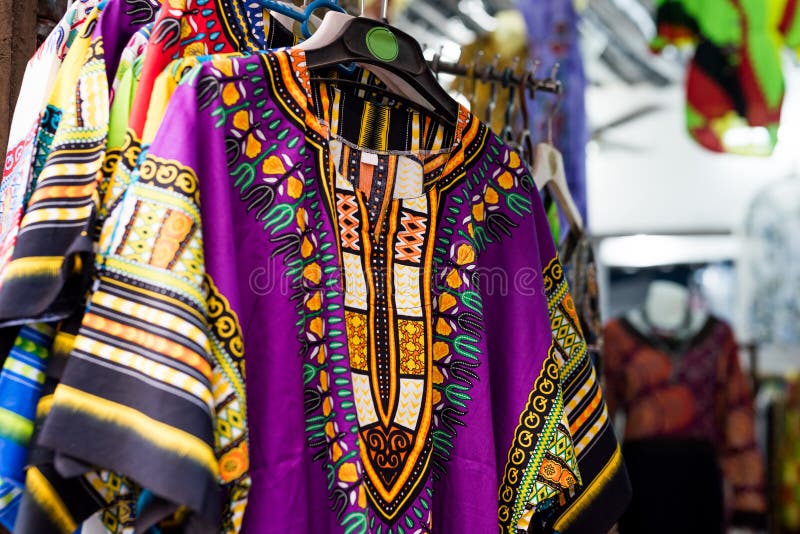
pixel 32 125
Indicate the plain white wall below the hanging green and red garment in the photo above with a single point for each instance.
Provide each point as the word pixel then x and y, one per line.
pixel 671 185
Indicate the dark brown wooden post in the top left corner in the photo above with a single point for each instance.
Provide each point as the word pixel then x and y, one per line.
pixel 17 44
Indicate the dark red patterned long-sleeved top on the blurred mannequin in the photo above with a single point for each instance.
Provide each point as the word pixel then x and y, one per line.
pixel 693 390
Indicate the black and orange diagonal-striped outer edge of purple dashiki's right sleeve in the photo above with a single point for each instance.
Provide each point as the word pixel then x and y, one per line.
pixel 604 490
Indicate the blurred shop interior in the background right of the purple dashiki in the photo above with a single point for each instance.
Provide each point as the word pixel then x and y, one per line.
pixel 672 133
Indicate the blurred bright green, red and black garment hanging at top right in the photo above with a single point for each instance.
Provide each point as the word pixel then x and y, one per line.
pixel 735 79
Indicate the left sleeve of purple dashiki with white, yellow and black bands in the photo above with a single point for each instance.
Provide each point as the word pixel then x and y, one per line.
pixel 149 373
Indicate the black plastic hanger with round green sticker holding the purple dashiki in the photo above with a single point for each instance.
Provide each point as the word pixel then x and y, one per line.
pixel 394 56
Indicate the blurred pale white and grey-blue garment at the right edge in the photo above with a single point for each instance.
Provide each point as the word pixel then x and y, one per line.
pixel 769 274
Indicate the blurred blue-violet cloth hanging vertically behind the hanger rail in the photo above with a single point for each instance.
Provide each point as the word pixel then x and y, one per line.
pixel 553 39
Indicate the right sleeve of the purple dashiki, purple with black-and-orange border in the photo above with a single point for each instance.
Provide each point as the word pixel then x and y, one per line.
pixel 543 384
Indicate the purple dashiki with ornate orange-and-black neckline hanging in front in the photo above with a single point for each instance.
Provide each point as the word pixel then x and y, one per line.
pixel 251 134
